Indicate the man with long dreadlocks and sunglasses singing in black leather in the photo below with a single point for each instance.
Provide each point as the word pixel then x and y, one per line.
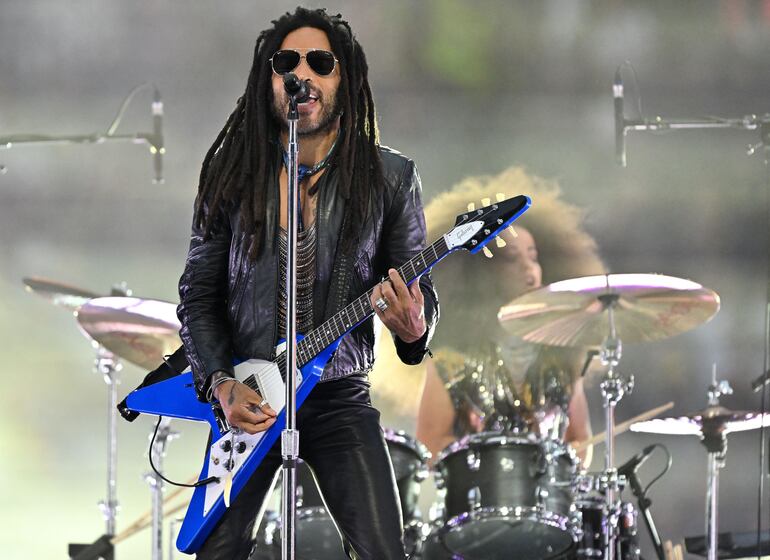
pixel 360 217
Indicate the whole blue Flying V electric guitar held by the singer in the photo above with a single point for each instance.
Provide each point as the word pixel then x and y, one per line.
pixel 231 459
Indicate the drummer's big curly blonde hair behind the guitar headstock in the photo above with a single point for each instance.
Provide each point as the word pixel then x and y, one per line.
pixel 465 283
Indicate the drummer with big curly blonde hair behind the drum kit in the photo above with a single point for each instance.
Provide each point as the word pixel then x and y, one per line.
pixel 482 379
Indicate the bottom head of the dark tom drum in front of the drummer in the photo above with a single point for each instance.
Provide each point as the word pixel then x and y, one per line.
pixel 498 537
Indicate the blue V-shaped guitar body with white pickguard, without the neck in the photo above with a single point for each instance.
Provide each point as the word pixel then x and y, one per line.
pixel 176 398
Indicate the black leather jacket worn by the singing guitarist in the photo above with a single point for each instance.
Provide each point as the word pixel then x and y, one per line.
pixel 228 303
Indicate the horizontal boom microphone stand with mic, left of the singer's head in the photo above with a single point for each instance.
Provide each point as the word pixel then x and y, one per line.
pixel 152 140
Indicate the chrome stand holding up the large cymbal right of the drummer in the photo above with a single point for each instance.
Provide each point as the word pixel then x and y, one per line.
pixel 613 388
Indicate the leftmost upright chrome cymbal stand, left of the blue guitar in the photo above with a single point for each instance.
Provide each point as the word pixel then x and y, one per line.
pixel 108 366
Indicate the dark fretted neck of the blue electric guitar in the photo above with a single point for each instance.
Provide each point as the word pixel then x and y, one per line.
pixel 360 308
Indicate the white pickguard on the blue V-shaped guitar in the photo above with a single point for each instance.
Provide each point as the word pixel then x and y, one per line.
pixel 272 388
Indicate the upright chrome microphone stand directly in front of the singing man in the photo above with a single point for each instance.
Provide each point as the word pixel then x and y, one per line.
pixel 290 435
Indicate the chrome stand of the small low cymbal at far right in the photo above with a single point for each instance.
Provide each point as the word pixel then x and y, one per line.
pixel 715 442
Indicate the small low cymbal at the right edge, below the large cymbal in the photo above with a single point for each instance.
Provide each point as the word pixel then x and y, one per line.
pixel 713 420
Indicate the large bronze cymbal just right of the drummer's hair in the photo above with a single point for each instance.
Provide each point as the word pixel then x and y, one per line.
pixel 646 307
